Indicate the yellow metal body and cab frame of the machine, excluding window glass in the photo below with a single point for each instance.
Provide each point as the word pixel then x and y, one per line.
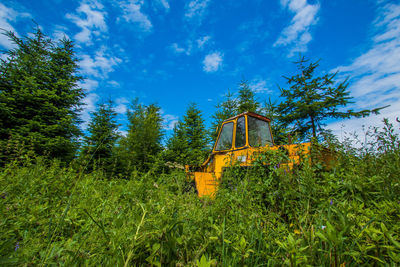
pixel 208 176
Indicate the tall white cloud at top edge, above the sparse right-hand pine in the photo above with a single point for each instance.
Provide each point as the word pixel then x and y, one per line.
pixel 297 33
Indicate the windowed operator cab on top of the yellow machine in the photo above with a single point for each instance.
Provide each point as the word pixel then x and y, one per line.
pixel 244 130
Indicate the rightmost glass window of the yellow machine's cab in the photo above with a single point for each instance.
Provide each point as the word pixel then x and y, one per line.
pixel 259 133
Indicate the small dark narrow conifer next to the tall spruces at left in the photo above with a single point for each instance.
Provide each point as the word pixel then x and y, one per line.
pixel 103 135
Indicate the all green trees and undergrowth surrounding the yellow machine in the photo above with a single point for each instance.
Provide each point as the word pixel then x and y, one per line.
pixel 114 201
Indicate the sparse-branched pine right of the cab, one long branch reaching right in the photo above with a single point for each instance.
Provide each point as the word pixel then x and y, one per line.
pixel 311 99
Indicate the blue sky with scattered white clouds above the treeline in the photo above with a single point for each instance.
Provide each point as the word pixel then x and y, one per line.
pixel 174 52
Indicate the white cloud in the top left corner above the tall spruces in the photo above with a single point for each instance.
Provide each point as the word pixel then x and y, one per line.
pixel 7 16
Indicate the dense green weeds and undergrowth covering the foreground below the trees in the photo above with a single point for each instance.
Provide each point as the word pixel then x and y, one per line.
pixel 346 216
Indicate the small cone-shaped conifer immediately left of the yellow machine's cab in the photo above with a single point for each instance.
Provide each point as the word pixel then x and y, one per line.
pixel 188 144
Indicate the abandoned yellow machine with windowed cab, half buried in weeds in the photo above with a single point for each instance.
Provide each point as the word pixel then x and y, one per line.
pixel 240 140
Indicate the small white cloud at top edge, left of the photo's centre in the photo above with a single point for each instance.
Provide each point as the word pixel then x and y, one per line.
pixel 132 13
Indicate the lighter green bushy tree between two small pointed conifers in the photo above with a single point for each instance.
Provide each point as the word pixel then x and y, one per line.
pixel 141 147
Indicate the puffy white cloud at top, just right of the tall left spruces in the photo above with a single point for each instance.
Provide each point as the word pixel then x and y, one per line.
pixel 90 18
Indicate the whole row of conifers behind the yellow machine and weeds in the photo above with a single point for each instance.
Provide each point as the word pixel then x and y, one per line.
pixel 40 103
